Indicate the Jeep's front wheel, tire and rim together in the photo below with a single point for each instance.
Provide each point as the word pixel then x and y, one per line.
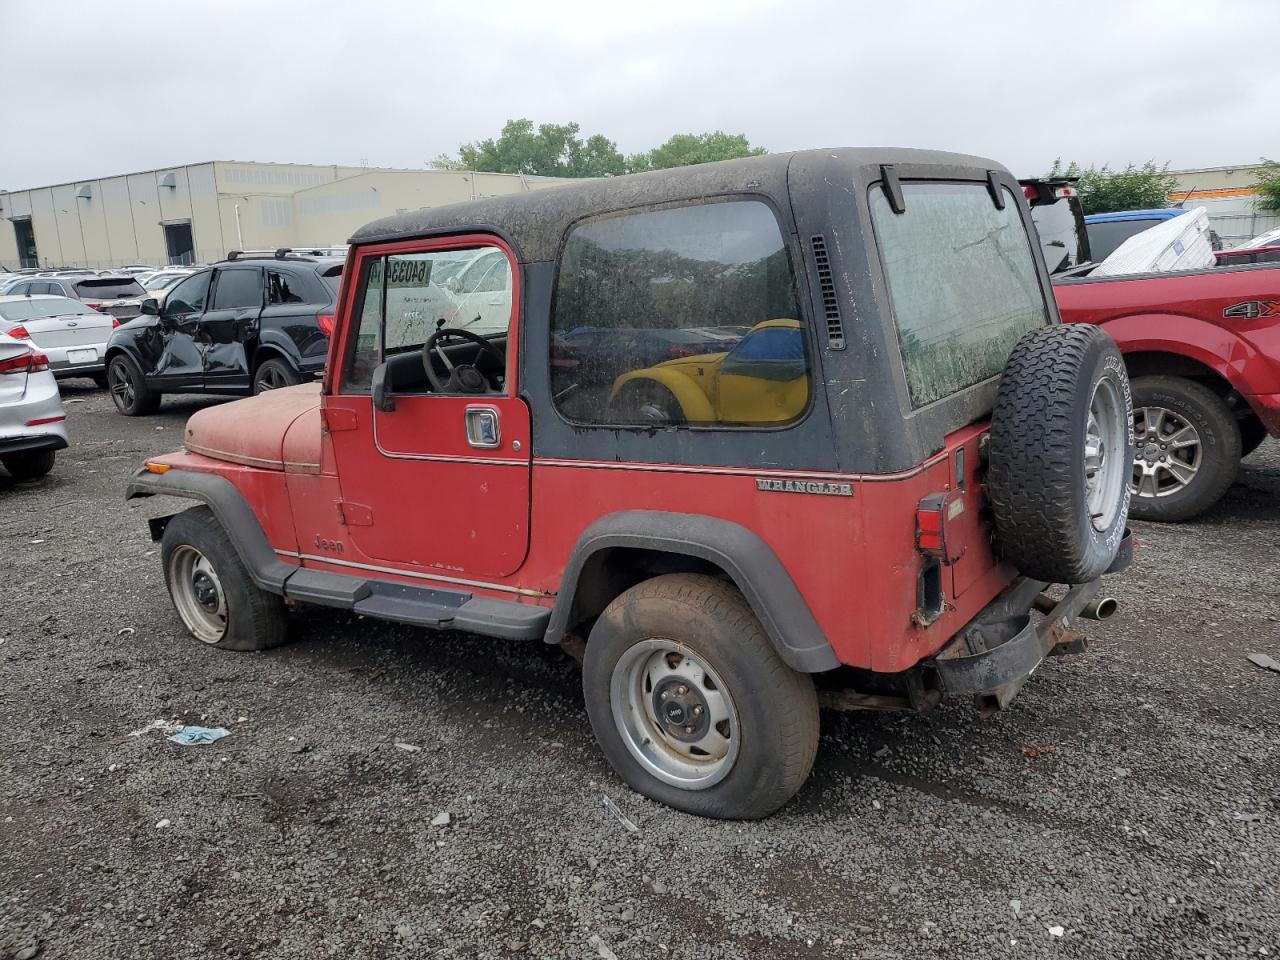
pixel 217 600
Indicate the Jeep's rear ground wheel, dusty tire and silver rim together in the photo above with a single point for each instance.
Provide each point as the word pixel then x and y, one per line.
pixel 692 705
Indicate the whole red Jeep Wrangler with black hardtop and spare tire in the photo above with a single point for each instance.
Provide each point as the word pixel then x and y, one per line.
pixel 746 438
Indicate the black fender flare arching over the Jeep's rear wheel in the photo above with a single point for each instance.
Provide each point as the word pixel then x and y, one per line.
pixel 752 565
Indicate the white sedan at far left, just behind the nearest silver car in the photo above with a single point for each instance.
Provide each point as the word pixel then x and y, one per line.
pixel 72 335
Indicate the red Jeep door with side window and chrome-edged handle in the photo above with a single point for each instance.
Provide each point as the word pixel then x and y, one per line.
pixel 433 482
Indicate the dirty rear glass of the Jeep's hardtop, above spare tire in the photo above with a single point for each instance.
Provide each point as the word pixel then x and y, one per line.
pixel 963 281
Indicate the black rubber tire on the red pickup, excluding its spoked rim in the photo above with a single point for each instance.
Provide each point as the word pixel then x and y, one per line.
pixel 1220 446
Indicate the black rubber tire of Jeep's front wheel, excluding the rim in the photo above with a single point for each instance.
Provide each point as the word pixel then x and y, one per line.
pixel 254 619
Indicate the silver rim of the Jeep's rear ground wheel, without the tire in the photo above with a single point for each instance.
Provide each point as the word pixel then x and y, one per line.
pixel 694 742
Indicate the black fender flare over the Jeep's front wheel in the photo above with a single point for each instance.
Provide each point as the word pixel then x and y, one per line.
pixel 234 513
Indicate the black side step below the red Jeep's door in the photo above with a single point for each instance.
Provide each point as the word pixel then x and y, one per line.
pixel 419 606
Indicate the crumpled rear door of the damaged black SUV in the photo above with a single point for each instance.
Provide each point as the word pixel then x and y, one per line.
pixel 230 327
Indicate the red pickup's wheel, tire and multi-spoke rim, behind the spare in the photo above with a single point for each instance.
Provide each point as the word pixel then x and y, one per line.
pixel 1187 447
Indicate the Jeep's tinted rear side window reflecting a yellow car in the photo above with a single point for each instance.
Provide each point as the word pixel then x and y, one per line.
pixel 680 316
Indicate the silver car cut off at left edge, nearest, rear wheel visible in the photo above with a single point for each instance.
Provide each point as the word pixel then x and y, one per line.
pixel 33 420
